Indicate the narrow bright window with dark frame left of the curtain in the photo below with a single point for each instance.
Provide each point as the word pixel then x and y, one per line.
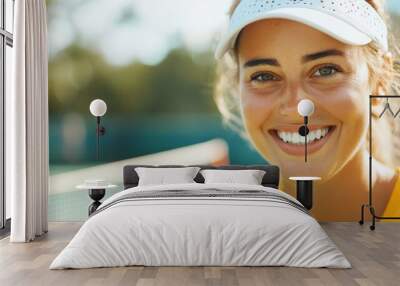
pixel 6 44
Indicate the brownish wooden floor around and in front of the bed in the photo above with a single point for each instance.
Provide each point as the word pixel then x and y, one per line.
pixel 375 257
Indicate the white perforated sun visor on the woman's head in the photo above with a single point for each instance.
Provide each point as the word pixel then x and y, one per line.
pixel 352 22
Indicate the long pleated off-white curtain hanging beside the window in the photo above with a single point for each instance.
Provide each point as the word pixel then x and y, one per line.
pixel 27 123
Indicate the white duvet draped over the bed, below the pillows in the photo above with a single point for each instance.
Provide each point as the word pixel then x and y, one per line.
pixel 200 231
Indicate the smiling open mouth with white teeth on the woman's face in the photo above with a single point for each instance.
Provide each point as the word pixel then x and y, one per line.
pixel 291 142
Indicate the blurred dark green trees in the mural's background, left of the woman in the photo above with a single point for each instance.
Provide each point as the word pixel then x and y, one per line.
pixel 181 83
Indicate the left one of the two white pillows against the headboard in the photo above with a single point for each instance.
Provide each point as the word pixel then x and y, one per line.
pixel 162 176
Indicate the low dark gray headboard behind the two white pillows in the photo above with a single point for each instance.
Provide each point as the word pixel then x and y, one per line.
pixel 270 179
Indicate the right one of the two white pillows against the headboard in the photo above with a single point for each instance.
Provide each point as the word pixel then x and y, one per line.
pixel 248 177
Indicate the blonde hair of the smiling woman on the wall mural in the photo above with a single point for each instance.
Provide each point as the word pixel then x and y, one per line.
pixel 384 78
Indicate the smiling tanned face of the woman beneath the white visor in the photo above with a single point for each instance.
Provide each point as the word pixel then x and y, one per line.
pixel 282 62
